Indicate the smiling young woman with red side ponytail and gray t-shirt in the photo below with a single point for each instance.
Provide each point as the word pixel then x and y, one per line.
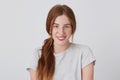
pixel 60 59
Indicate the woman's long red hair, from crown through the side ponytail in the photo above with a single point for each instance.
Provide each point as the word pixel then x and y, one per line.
pixel 46 63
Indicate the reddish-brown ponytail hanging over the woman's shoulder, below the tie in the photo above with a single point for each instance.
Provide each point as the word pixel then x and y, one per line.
pixel 46 67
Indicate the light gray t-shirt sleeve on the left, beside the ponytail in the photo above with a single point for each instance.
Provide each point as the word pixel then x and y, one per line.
pixel 33 60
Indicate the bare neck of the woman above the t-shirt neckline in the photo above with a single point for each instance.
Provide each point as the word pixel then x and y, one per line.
pixel 61 48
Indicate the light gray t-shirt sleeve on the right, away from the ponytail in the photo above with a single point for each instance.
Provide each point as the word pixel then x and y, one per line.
pixel 87 56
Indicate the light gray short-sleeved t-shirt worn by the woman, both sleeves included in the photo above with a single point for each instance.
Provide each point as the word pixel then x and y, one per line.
pixel 69 63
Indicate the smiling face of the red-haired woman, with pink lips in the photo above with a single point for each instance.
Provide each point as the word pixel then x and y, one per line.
pixel 61 31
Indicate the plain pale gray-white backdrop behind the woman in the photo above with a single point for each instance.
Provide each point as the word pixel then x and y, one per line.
pixel 22 29
